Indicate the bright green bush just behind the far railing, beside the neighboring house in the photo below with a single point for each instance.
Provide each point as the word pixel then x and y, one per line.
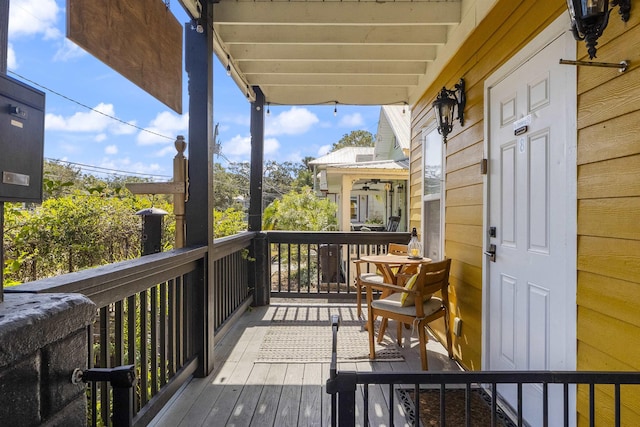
pixel 301 211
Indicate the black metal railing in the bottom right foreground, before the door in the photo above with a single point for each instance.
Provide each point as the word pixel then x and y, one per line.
pixel 350 392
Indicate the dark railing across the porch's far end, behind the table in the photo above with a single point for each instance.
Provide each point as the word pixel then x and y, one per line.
pixel 319 264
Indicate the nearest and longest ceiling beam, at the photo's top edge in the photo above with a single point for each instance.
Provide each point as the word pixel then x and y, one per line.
pixel 338 13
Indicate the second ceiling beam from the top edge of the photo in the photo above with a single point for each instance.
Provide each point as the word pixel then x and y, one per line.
pixel 335 35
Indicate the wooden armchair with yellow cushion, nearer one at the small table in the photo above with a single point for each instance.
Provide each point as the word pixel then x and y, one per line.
pixel 431 278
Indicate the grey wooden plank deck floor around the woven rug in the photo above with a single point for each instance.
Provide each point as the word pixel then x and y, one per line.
pixel 241 392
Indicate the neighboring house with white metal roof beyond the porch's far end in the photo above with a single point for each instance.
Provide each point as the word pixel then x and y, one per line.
pixel 373 178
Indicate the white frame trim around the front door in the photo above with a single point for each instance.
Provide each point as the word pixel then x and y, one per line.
pixel 555 30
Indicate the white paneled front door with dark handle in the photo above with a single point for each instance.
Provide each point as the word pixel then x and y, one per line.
pixel 531 221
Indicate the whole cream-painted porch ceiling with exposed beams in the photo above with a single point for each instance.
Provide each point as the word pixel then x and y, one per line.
pixel 321 52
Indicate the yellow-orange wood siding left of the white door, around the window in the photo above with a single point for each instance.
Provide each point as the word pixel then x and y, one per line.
pixel 508 27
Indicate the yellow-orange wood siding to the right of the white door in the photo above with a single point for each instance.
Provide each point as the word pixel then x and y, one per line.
pixel 608 154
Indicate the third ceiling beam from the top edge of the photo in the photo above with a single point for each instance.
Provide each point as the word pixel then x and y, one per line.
pixel 252 52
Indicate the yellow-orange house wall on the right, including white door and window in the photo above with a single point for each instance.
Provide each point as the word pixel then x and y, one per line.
pixel 560 198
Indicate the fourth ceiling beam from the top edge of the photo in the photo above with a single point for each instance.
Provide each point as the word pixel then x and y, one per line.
pixel 332 67
